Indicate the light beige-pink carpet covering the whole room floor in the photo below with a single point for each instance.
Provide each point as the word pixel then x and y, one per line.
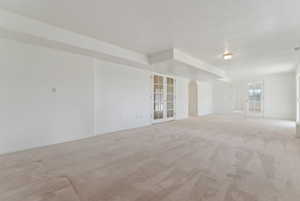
pixel 213 158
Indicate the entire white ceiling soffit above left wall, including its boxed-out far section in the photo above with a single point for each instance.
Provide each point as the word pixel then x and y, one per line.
pixel 21 28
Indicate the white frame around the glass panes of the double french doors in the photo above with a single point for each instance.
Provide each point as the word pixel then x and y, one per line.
pixel 165 76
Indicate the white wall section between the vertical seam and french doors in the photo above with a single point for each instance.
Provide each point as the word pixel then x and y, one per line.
pixel 122 97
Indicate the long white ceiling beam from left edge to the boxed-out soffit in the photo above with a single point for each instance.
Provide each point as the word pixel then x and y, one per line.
pixel 23 28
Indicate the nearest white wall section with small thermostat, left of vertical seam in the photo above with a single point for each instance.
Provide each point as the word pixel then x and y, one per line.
pixel 31 113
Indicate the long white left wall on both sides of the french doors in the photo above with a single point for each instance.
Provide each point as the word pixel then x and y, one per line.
pixel 50 96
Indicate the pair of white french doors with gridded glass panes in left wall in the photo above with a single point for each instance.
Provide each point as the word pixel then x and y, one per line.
pixel 163 96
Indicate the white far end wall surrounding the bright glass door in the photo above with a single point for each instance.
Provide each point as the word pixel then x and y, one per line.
pixel 279 96
